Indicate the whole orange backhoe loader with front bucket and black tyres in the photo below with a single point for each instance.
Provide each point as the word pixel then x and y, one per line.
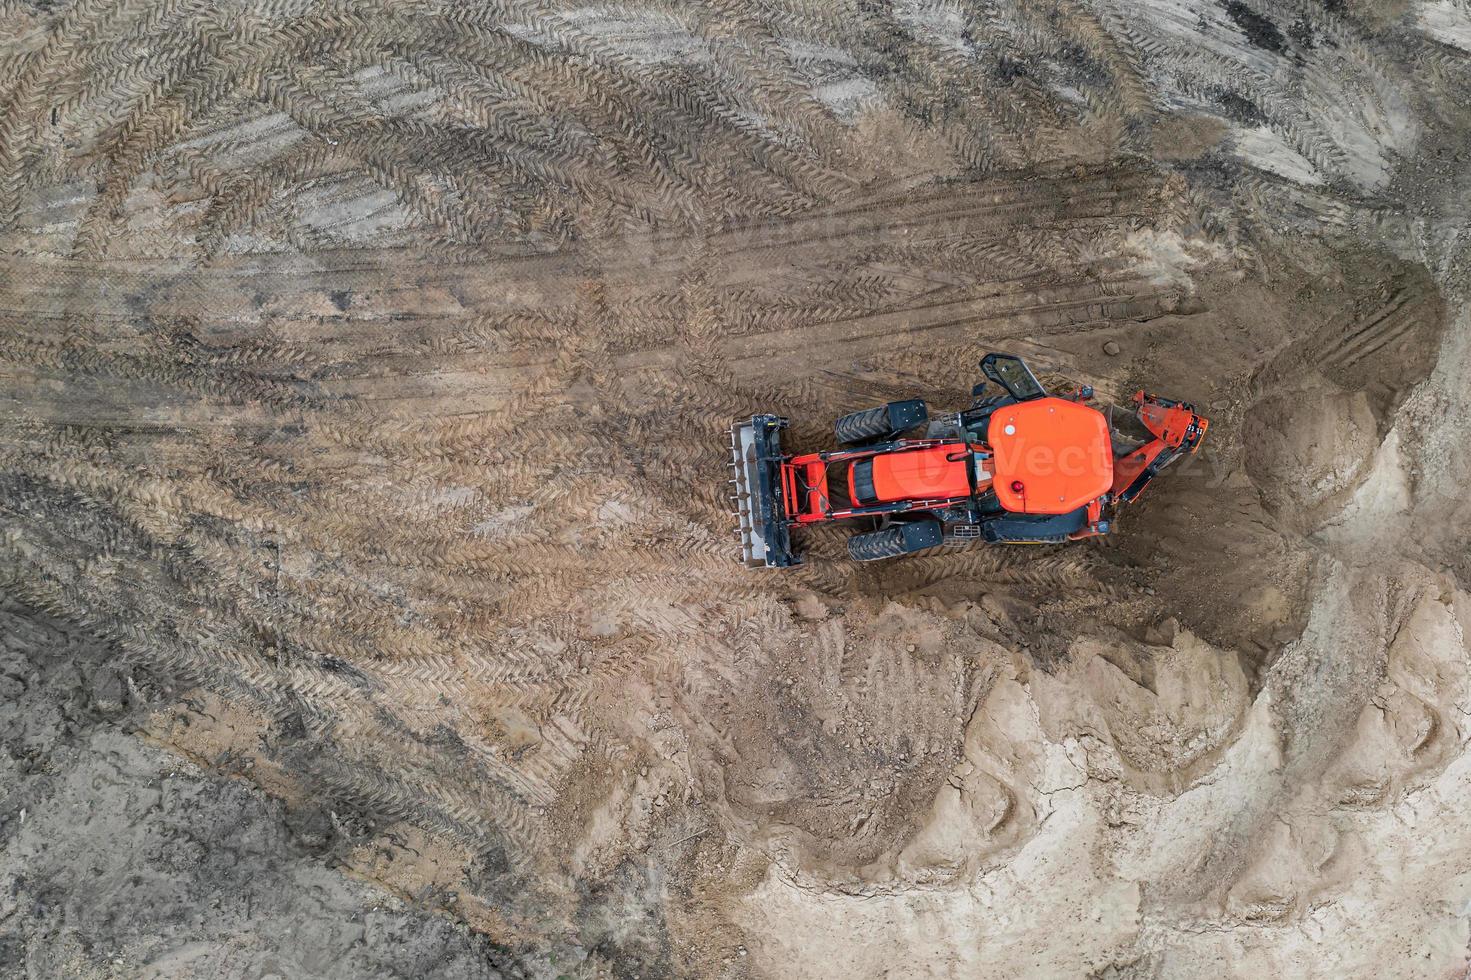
pixel 1020 466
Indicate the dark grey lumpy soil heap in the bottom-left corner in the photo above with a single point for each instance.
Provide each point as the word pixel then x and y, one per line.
pixel 124 860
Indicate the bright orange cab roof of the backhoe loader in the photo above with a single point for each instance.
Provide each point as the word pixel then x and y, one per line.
pixel 1053 455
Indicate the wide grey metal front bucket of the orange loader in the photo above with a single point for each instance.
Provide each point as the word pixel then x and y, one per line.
pixel 757 464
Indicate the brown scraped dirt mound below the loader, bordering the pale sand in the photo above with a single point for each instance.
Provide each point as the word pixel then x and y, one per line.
pixel 819 756
